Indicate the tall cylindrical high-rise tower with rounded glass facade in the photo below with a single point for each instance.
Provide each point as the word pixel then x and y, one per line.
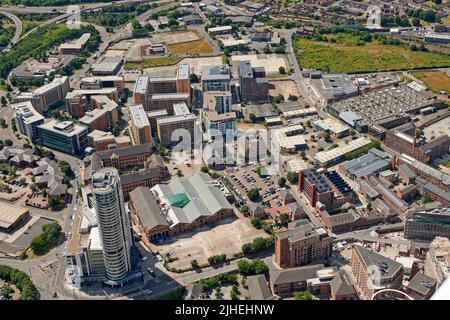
pixel 114 224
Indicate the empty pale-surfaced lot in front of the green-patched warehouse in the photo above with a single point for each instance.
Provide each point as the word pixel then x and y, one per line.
pixel 226 238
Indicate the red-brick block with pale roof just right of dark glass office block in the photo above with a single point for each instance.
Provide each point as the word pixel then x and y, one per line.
pixel 104 115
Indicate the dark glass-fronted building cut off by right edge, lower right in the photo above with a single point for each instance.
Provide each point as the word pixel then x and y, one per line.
pixel 426 225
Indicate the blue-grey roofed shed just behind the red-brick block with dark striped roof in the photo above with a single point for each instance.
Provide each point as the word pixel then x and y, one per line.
pixel 371 163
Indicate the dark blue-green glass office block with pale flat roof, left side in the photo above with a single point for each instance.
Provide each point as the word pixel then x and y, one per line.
pixel 64 136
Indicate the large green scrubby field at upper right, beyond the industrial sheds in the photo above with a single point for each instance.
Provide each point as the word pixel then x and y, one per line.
pixel 346 56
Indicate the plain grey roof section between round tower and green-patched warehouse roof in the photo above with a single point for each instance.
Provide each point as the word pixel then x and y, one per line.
pixel 147 208
